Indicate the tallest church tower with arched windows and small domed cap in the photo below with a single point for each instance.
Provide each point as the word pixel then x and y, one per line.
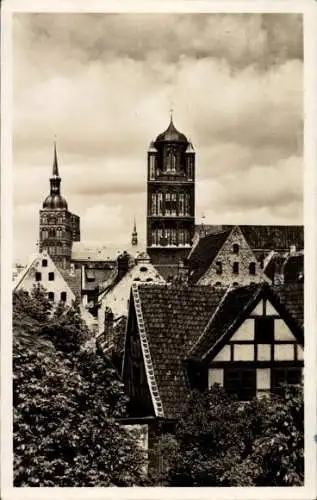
pixel 170 198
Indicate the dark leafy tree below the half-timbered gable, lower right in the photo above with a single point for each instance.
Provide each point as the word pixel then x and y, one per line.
pixel 219 442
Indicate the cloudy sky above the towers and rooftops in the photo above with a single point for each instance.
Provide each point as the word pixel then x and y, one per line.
pixel 104 84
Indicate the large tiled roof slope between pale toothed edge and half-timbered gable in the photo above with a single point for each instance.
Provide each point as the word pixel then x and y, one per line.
pixel 174 317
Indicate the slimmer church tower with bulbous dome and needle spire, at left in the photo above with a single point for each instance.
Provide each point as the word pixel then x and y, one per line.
pixel 58 227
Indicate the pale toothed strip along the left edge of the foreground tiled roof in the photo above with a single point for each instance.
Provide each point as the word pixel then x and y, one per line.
pixel 147 358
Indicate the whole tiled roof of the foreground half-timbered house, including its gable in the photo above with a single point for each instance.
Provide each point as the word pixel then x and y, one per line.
pixel 182 323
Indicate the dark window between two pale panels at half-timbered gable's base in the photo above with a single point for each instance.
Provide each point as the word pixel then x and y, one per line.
pixel 241 382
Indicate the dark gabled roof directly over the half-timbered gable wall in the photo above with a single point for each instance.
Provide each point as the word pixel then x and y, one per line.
pixel 238 303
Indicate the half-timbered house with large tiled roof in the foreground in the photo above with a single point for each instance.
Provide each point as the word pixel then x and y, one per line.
pixel 248 339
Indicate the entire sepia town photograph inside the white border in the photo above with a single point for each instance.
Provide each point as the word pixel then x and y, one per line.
pixel 157 277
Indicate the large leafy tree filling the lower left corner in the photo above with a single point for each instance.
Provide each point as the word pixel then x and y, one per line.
pixel 66 397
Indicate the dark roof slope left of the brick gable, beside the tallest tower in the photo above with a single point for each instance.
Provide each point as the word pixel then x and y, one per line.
pixel 205 252
